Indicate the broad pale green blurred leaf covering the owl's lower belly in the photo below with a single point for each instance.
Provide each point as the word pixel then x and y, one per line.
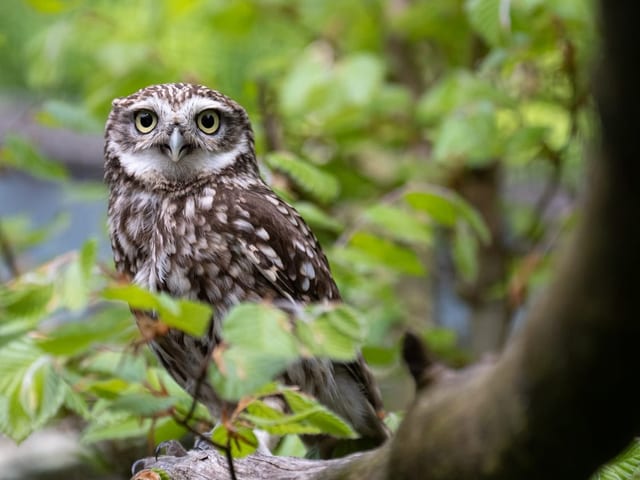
pixel 260 345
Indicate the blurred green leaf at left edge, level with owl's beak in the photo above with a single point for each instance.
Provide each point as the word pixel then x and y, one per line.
pixel 19 153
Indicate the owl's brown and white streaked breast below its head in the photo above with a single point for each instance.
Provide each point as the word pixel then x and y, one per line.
pixel 182 245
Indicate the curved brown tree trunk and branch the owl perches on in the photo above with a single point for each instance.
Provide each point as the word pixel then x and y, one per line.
pixel 563 398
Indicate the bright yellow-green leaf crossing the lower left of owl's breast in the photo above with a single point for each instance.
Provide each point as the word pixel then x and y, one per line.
pixel 189 316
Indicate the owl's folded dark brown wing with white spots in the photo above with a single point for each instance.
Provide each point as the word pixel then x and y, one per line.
pixel 280 245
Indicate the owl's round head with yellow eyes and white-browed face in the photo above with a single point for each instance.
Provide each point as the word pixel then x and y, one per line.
pixel 176 133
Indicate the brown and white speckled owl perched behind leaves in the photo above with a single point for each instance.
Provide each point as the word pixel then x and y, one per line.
pixel 190 215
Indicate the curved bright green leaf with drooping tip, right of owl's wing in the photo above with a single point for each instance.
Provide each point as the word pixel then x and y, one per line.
pixel 447 208
